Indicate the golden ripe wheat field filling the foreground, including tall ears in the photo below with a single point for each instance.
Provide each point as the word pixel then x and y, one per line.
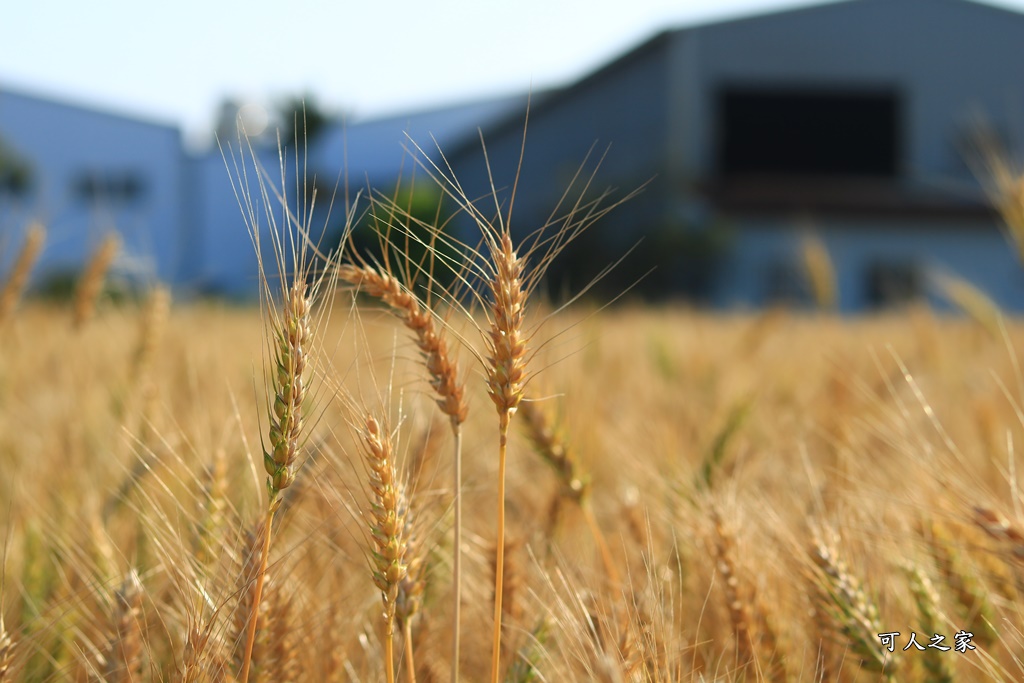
pixel 372 477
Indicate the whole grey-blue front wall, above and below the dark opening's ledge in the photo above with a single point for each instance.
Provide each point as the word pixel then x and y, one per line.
pixel 948 60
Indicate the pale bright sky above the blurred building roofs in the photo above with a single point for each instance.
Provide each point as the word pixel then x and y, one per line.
pixel 175 62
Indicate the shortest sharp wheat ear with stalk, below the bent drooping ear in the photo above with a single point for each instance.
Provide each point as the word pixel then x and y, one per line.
pixel 388 528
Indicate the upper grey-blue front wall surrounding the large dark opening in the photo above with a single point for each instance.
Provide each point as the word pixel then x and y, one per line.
pixel 948 59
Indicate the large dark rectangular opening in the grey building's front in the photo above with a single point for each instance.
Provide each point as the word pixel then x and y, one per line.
pixel 807 133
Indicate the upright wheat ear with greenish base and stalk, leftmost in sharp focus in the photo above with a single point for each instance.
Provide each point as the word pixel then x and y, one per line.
pixel 292 336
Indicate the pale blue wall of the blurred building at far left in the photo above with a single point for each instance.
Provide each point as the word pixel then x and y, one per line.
pixel 63 143
